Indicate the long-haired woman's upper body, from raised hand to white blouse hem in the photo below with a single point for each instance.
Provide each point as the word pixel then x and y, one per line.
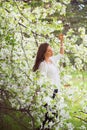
pixel 46 62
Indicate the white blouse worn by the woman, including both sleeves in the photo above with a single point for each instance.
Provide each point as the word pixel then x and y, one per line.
pixel 51 70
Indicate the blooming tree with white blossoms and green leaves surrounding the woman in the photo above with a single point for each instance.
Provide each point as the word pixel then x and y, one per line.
pixel 23 27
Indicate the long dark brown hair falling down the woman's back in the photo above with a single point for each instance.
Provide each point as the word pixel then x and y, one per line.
pixel 40 55
